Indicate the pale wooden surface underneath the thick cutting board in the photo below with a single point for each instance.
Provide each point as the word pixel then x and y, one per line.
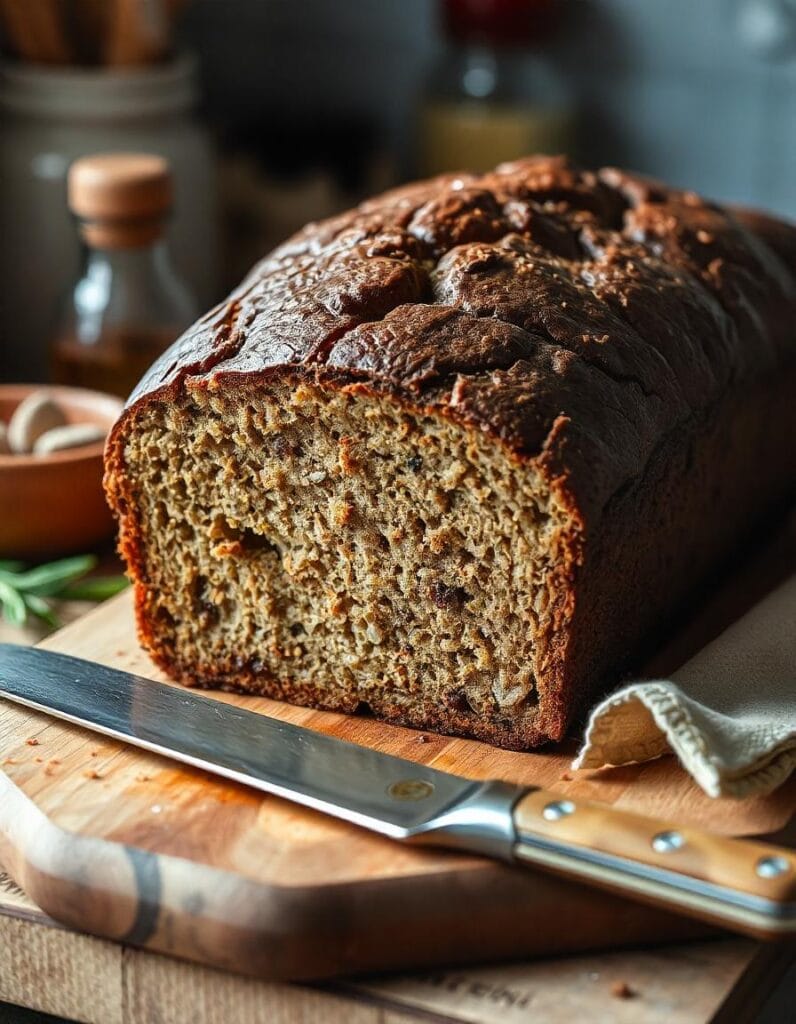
pixel 47 967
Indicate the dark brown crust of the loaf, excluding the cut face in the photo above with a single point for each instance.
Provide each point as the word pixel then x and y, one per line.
pixel 634 345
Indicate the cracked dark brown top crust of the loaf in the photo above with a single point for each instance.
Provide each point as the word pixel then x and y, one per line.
pixel 578 317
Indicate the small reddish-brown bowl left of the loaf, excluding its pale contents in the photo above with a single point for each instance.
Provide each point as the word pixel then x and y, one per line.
pixel 54 504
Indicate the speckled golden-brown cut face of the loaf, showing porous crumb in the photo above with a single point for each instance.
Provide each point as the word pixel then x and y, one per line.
pixel 345 551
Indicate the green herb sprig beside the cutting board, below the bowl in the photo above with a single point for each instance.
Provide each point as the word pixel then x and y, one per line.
pixel 34 591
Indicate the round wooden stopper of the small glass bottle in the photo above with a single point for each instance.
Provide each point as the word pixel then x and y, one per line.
pixel 120 198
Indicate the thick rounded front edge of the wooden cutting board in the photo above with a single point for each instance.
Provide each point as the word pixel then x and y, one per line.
pixel 214 917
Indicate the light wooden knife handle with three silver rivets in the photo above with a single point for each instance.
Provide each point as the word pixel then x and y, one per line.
pixel 739 884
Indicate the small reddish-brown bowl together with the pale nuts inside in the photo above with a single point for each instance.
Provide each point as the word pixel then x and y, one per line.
pixel 52 498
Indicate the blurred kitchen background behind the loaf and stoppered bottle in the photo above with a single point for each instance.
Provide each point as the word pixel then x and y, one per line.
pixel 272 113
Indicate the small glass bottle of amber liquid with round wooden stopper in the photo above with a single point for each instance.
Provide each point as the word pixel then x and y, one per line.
pixel 130 305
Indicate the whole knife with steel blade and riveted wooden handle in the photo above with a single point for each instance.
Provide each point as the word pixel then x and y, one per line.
pixel 745 886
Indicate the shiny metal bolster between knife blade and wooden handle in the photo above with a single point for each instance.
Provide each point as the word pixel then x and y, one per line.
pixel 481 824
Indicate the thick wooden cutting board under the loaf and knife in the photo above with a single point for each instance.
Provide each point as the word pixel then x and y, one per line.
pixel 130 846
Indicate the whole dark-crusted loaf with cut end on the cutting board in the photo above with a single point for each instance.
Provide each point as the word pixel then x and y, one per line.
pixel 455 456
